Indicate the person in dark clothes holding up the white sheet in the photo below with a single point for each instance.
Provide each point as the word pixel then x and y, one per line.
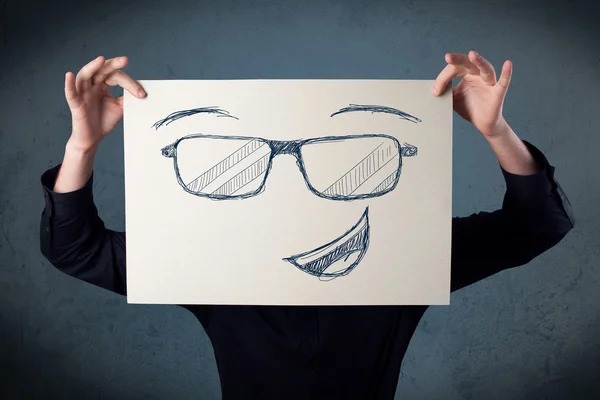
pixel 309 352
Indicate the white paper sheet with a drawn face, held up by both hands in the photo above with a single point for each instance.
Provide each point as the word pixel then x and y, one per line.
pixel 288 192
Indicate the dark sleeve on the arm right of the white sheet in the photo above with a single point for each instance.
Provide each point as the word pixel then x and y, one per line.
pixel 535 216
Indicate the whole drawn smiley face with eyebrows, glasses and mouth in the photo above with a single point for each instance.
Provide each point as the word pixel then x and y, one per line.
pixel 370 167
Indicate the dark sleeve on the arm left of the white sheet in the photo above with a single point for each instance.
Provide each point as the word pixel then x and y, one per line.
pixel 74 239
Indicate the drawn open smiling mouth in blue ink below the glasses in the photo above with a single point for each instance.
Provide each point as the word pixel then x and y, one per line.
pixel 338 257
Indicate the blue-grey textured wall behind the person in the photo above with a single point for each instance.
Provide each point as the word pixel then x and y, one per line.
pixel 528 333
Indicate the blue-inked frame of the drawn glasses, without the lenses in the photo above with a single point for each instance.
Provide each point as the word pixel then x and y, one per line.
pixel 292 147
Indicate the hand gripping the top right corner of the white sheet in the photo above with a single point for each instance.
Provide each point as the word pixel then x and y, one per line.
pixel 478 98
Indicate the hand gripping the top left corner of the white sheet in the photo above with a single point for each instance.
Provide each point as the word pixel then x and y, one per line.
pixel 94 111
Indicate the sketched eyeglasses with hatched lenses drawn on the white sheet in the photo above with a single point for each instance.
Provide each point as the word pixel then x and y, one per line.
pixel 340 168
